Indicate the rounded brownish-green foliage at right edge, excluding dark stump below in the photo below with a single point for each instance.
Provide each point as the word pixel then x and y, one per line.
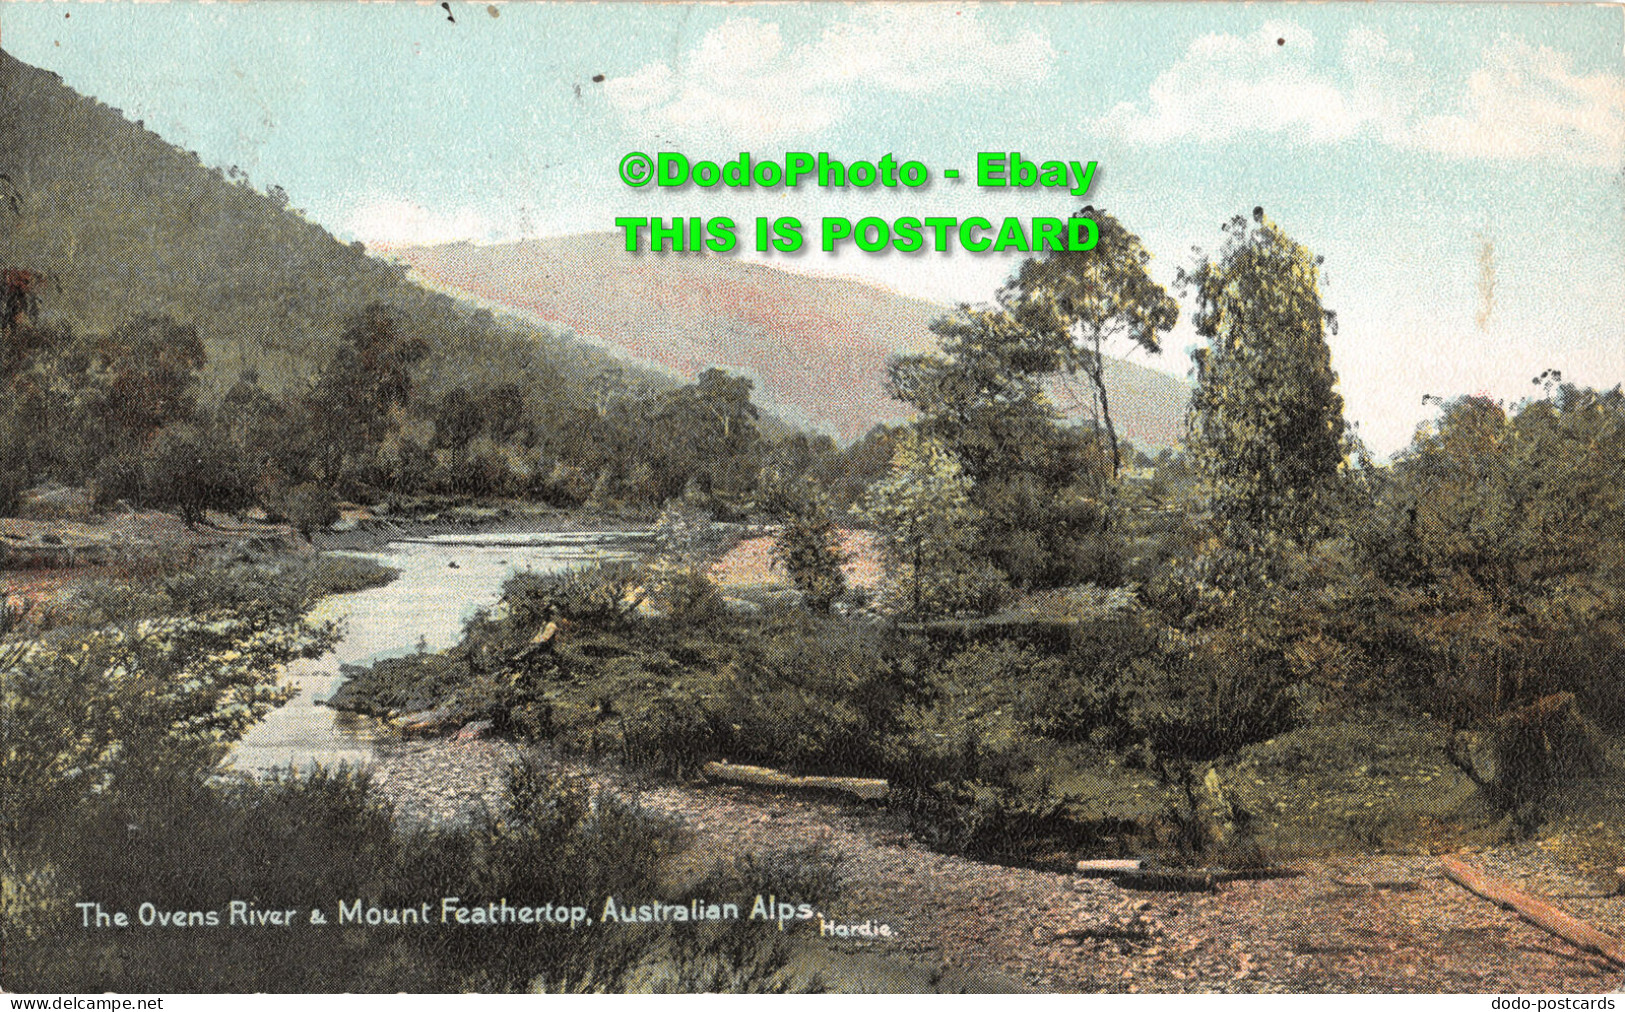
pixel 1499 553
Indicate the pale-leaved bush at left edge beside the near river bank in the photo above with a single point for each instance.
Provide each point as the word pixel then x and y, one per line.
pixel 149 681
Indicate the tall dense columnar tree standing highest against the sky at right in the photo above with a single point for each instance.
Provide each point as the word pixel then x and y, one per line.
pixel 1267 428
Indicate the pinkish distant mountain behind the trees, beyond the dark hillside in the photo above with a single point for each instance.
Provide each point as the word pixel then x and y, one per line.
pixel 815 345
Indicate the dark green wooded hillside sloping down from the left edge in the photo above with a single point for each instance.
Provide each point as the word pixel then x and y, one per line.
pixel 123 223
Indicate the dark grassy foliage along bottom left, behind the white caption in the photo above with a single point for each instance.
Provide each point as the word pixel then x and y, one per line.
pixel 326 837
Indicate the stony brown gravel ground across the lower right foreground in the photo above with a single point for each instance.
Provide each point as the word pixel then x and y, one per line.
pixel 1062 933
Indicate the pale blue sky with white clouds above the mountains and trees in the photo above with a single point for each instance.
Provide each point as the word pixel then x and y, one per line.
pixel 1460 167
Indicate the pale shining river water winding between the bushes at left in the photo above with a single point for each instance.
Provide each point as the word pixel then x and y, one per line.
pixel 443 582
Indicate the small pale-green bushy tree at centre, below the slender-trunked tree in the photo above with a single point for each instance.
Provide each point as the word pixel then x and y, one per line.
pixel 927 530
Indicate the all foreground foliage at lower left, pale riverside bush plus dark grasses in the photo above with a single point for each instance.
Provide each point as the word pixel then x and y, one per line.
pixel 115 725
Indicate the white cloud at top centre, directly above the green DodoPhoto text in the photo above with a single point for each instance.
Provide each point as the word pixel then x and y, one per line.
pixel 743 82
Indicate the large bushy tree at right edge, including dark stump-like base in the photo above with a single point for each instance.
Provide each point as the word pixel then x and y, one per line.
pixel 1496 597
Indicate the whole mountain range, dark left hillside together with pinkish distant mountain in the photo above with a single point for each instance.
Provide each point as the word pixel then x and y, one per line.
pixel 123 223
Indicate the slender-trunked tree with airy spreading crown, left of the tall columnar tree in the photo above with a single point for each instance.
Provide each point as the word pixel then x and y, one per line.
pixel 1093 300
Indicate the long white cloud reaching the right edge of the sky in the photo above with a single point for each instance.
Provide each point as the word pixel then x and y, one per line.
pixel 1522 102
